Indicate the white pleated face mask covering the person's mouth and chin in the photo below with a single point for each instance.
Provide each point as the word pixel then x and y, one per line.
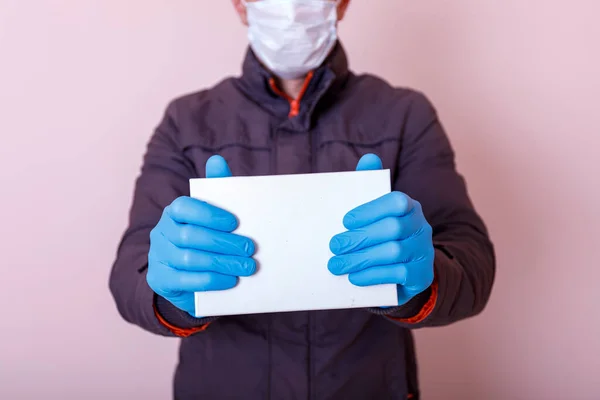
pixel 292 37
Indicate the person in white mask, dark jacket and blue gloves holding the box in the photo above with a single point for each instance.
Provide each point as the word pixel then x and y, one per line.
pixel 297 108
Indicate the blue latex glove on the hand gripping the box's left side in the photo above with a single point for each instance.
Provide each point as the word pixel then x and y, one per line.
pixel 192 248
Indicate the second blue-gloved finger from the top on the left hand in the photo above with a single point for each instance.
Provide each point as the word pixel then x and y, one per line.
pixel 200 238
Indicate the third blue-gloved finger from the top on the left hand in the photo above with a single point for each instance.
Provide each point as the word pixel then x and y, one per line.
pixel 202 261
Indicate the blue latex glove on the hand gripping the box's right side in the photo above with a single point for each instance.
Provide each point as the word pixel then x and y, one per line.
pixel 388 241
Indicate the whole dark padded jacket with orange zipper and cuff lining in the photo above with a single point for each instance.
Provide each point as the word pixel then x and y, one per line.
pixel 342 354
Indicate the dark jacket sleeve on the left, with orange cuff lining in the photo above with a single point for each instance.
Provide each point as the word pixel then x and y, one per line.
pixel 164 176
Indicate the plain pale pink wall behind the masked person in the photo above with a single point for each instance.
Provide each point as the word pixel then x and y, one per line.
pixel 83 83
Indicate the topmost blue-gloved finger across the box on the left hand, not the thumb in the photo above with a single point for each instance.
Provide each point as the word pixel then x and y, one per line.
pixel 187 210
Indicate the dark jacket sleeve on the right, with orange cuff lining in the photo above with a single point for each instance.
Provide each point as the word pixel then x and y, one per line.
pixel 464 265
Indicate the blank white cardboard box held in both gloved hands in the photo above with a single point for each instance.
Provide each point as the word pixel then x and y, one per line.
pixel 292 218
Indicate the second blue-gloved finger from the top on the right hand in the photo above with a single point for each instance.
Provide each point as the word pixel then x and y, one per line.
pixel 385 230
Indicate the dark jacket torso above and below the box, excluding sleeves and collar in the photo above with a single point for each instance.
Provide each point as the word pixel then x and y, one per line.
pixel 341 354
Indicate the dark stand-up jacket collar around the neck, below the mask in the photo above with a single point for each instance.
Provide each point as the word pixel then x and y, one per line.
pixel 256 83
